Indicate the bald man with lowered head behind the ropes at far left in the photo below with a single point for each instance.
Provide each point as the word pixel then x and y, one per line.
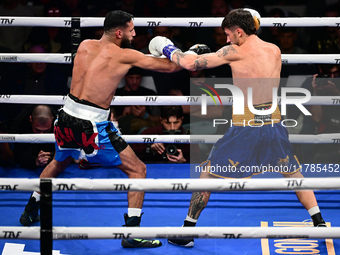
pixel 36 121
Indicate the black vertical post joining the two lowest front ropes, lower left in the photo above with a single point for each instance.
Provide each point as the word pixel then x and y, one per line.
pixel 46 237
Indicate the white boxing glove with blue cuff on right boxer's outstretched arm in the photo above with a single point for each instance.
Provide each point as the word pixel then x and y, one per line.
pixel 160 45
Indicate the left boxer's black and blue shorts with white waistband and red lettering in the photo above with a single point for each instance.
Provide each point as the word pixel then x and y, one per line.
pixel 84 126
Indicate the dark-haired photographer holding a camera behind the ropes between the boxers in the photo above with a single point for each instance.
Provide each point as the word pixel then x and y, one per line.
pixel 171 123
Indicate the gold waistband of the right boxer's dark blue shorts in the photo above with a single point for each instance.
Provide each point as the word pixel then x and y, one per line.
pixel 249 118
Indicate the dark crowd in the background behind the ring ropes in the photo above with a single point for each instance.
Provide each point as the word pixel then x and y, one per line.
pixel 55 79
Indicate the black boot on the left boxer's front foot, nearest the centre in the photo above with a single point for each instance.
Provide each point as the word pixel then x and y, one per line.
pixel 134 221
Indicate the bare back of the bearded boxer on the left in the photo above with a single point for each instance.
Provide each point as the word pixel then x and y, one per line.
pixel 97 71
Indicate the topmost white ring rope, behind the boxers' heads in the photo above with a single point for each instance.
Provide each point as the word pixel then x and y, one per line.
pixel 170 21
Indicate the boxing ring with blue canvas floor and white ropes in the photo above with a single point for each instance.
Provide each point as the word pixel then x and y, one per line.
pixel 257 212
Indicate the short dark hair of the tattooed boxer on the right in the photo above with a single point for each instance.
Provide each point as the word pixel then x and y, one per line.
pixel 239 18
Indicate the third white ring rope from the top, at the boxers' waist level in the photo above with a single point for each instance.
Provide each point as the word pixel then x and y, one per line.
pixel 153 100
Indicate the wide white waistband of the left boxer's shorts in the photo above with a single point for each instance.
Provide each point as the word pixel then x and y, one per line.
pixel 85 112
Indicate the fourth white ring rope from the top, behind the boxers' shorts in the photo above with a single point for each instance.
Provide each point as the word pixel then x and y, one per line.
pixel 177 139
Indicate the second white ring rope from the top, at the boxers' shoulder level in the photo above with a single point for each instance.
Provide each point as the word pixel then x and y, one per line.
pixel 65 58
